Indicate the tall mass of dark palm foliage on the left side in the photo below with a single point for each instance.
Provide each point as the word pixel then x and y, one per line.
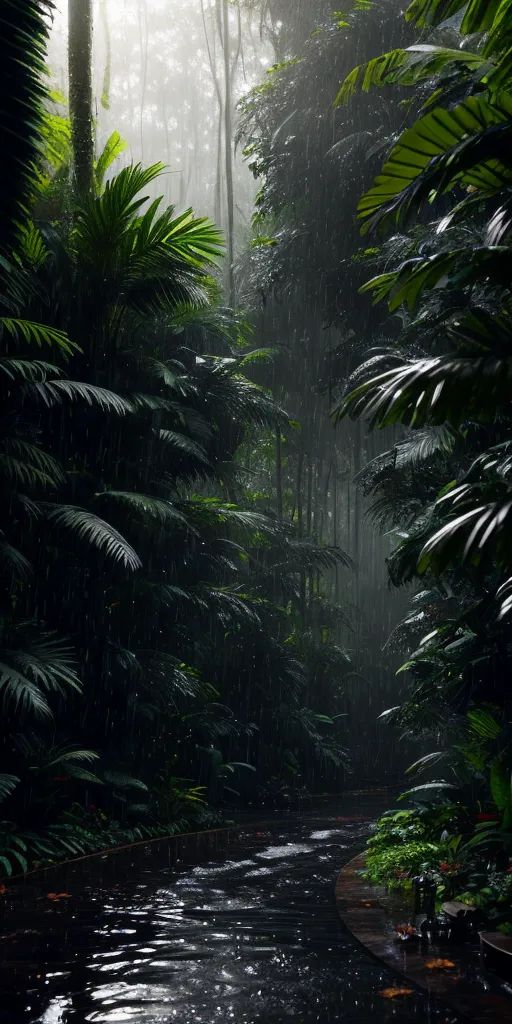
pixel 154 660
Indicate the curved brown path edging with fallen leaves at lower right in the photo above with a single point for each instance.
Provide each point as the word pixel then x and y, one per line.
pixel 366 911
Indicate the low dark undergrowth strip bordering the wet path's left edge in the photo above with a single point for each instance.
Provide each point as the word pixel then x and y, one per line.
pixel 84 832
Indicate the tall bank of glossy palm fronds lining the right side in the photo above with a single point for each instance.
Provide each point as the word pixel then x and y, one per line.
pixel 443 199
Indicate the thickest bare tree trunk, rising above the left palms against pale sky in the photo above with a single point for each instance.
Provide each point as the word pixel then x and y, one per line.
pixel 80 71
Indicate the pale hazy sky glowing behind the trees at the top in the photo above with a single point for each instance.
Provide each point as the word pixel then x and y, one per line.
pixel 158 91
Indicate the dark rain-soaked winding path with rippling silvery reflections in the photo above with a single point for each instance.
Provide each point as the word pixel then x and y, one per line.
pixel 253 936
